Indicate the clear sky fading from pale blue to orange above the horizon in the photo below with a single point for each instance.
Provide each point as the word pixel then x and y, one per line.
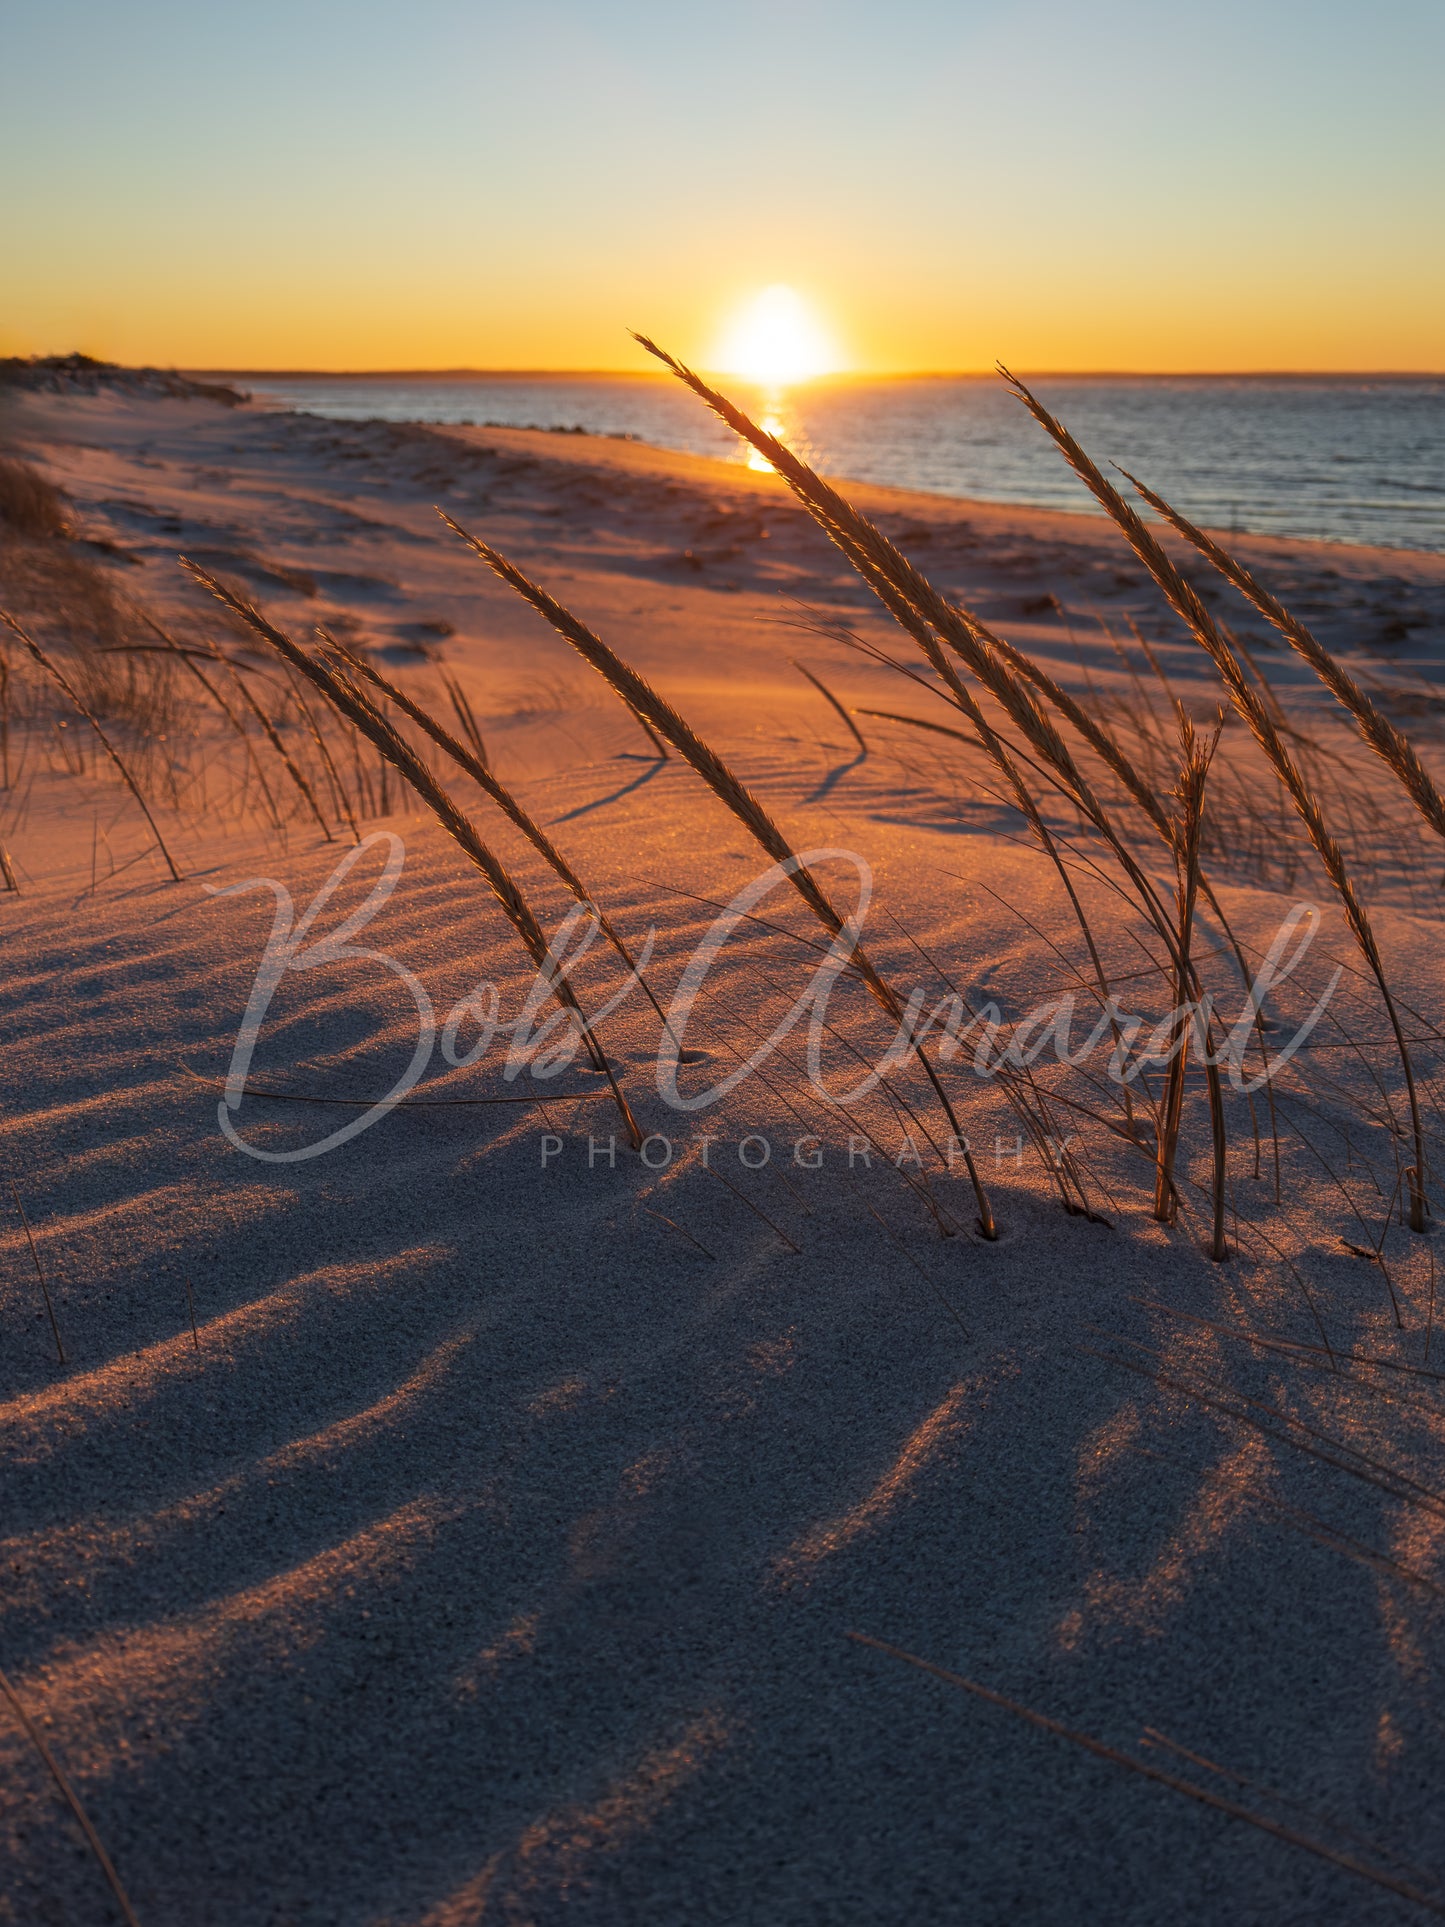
pixel 1059 184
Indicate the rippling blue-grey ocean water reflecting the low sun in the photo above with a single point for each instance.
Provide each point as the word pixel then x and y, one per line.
pixel 1328 458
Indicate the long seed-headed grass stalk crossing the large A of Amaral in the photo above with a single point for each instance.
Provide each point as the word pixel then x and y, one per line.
pixel 641 697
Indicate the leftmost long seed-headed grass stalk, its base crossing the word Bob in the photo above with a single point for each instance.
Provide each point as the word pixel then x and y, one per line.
pixel 400 754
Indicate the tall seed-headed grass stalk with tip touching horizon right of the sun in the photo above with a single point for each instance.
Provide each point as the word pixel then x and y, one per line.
pixel 1186 604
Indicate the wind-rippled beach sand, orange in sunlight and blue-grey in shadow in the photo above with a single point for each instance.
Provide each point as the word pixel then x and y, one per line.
pixel 490 1550
